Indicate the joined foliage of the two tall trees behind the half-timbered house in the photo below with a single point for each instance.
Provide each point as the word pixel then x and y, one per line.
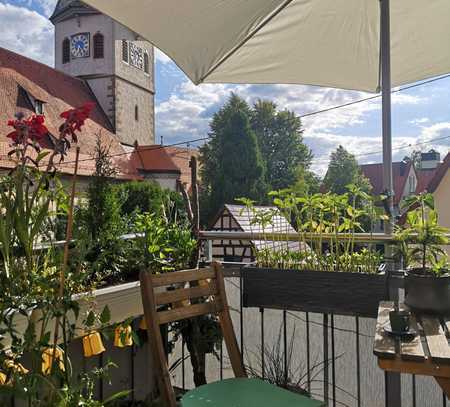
pixel 253 150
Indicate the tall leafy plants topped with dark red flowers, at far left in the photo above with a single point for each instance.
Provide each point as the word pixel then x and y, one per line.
pixel 39 286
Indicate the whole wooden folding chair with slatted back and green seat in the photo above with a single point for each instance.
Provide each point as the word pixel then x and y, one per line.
pixel 237 392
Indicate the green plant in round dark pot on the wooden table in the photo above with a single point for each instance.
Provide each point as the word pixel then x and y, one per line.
pixel 427 278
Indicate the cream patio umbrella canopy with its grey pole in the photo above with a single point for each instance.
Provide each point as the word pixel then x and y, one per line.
pixel 334 43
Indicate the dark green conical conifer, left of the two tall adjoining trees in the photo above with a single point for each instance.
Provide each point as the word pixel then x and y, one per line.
pixel 231 162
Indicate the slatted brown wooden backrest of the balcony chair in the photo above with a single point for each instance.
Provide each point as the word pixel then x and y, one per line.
pixel 206 283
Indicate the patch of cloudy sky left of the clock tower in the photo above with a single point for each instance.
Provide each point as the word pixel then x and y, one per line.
pixel 26 32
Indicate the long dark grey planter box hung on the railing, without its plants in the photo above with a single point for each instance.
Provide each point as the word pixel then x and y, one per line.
pixel 338 293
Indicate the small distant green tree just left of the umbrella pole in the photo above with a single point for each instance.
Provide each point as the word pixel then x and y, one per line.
pixel 343 170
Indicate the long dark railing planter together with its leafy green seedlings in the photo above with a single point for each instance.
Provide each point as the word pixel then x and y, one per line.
pixel 324 273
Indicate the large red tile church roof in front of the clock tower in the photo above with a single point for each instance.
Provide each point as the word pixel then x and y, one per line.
pixel 21 76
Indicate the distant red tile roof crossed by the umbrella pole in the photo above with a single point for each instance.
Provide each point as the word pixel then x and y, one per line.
pixel 400 171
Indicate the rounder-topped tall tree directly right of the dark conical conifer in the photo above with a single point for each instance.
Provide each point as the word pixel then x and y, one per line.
pixel 280 139
